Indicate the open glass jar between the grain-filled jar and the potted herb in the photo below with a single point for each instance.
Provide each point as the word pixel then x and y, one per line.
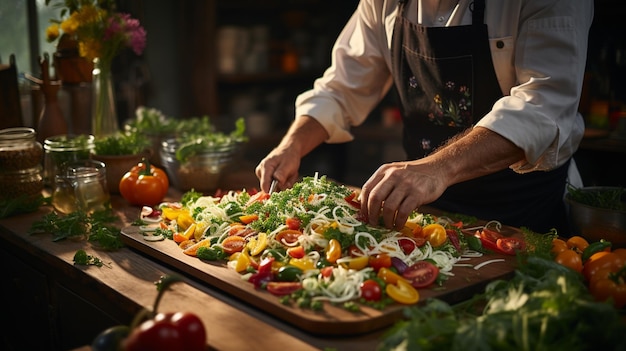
pixel 65 148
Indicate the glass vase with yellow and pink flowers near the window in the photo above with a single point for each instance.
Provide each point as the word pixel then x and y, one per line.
pixel 101 33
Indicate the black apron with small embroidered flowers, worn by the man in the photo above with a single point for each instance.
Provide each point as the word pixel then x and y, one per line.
pixel 446 82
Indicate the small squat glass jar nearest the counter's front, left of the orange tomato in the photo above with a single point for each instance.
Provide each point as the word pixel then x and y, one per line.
pixel 80 185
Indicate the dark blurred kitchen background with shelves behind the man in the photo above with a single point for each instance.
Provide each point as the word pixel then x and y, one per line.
pixel 229 59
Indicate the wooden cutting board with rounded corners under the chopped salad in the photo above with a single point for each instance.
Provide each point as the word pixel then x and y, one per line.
pixel 333 320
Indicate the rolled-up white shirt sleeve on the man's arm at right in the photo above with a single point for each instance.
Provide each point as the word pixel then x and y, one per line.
pixel 540 115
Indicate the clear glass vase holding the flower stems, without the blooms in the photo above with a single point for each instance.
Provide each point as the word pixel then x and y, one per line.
pixel 104 115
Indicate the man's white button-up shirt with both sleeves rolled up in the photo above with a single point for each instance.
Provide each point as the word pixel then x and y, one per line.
pixel 540 70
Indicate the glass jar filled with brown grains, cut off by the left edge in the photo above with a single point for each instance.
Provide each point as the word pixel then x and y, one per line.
pixel 20 163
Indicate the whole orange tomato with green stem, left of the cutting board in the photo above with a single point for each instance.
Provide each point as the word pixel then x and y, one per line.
pixel 144 185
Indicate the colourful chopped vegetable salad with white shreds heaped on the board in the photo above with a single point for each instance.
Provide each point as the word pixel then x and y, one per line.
pixel 309 245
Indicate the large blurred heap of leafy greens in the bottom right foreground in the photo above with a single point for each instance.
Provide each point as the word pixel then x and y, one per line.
pixel 545 306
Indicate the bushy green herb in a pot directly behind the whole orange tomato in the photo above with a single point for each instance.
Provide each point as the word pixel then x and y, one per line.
pixel 120 152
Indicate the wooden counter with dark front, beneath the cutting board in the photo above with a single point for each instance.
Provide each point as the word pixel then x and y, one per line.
pixel 49 303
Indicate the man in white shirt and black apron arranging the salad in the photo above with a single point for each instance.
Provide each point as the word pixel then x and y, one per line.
pixel 489 92
